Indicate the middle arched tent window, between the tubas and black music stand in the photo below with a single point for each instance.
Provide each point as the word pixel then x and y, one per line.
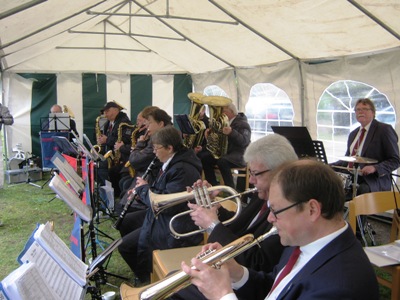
pixel 268 106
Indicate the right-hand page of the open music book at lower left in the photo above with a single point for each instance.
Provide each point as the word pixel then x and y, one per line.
pixel 59 251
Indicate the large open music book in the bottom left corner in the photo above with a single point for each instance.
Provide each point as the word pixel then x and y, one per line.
pixel 47 266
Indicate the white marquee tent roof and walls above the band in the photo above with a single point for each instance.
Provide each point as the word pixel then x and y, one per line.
pixel 301 46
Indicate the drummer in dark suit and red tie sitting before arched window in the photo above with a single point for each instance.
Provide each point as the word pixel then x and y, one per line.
pixel 380 142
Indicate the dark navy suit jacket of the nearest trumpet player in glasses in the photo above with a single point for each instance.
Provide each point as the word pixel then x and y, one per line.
pixel 341 270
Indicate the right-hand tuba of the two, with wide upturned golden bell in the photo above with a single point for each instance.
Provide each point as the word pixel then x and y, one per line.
pixel 217 142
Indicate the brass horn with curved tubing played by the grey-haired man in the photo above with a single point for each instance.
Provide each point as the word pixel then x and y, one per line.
pixel 160 202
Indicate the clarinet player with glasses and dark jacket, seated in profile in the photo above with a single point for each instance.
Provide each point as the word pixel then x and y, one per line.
pixel 180 169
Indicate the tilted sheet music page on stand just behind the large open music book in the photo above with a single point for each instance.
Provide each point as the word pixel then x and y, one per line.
pixel 69 197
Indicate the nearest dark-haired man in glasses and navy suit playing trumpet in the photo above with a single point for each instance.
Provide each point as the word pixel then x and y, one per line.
pixel 306 206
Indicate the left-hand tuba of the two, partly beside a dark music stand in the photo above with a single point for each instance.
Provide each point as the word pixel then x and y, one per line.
pixel 196 139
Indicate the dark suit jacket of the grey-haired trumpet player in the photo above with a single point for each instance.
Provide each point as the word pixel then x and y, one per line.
pixel 258 258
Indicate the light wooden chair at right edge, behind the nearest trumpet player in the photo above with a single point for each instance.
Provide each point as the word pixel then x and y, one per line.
pixel 373 203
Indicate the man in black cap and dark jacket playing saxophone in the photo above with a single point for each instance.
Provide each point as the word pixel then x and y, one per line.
pixel 112 111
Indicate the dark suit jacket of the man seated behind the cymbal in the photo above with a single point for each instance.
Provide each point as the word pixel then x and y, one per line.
pixel 380 144
